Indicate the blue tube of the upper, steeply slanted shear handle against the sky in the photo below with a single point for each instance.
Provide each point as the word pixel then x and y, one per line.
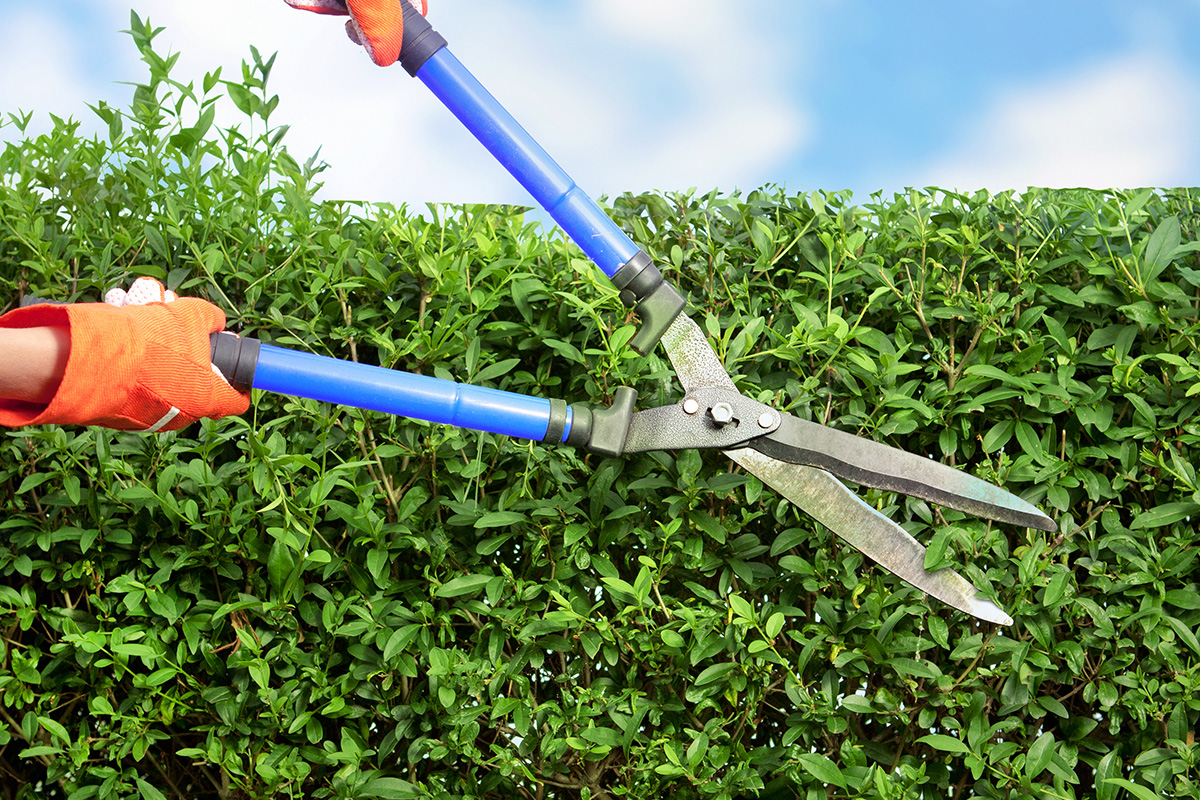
pixel 579 215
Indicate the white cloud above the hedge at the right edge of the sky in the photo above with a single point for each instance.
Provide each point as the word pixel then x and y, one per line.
pixel 1131 122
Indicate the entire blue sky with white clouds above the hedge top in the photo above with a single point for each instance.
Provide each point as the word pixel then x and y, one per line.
pixel 635 95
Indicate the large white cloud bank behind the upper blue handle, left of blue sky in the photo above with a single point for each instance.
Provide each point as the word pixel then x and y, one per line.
pixel 625 95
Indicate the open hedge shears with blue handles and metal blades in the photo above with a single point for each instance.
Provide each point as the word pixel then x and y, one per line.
pixel 800 460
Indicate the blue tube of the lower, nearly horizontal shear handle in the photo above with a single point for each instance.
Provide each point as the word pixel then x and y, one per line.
pixel 346 383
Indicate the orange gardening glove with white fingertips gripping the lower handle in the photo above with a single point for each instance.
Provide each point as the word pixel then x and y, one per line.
pixel 139 362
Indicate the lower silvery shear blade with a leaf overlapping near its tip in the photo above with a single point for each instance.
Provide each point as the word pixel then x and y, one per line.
pixel 831 503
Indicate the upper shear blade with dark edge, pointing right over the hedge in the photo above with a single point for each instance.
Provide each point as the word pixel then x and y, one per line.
pixel 869 464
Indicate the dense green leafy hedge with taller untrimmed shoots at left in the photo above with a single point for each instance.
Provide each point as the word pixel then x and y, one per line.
pixel 322 603
